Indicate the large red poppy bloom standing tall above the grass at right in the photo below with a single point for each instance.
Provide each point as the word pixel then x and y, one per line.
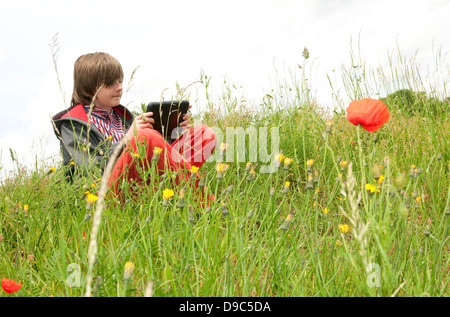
pixel 371 114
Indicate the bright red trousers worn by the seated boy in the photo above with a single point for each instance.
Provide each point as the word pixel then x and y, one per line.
pixel 192 148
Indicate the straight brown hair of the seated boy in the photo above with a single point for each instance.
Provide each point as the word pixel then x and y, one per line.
pixel 92 71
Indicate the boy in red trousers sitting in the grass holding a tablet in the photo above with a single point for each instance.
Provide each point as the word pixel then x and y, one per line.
pixel 89 135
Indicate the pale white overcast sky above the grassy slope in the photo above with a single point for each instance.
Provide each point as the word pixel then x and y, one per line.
pixel 170 41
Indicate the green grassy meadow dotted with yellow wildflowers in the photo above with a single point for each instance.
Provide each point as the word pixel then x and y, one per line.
pixel 345 213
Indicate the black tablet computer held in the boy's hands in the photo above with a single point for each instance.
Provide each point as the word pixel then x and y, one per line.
pixel 168 115
